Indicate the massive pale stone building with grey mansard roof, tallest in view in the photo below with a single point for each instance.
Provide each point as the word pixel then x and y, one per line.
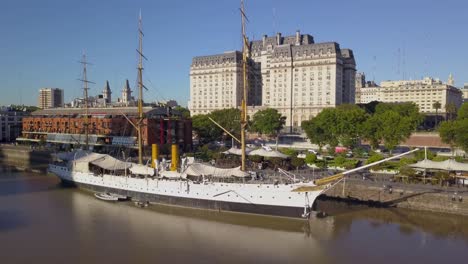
pixel 292 74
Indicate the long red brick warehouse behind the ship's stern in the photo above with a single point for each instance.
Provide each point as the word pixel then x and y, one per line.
pixel 107 127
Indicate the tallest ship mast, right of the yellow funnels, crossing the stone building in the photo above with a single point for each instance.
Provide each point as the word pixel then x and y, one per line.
pixel 245 54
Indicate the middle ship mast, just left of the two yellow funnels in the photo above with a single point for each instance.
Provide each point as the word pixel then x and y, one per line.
pixel 140 91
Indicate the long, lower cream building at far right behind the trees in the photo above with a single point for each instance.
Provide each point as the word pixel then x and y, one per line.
pixel 422 92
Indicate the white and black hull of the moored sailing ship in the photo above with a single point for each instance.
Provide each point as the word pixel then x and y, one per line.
pixel 270 199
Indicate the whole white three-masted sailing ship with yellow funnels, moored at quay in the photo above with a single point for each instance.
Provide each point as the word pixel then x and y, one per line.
pixel 192 184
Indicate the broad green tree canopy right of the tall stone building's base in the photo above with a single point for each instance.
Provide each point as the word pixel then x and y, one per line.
pixel 391 123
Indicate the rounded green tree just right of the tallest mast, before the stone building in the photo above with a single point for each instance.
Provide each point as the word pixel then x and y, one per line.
pixel 268 122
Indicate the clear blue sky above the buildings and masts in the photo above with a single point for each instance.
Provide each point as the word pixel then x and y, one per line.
pixel 41 41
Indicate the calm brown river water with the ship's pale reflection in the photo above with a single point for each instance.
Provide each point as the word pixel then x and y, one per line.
pixel 42 221
